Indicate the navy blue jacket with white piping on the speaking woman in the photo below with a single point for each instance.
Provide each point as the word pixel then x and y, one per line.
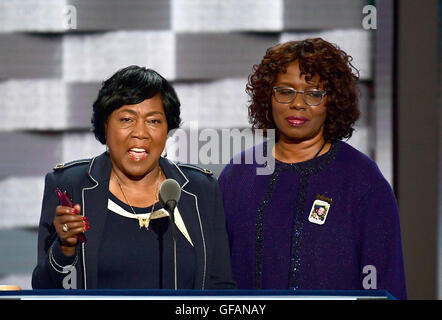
pixel 87 181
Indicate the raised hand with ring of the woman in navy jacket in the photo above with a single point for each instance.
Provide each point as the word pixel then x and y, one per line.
pixel 69 223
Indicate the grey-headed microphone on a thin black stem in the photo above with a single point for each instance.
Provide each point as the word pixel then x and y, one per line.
pixel 170 192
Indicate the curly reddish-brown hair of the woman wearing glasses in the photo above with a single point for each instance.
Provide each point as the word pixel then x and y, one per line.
pixel 315 56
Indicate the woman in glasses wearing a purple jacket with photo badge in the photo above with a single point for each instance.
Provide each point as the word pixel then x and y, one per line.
pixel 325 218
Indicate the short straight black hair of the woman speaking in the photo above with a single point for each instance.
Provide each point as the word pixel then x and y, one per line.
pixel 132 85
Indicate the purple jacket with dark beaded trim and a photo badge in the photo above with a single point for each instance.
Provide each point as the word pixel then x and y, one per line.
pixel 274 244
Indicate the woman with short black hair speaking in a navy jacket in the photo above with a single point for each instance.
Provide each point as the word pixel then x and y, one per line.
pixel 115 196
